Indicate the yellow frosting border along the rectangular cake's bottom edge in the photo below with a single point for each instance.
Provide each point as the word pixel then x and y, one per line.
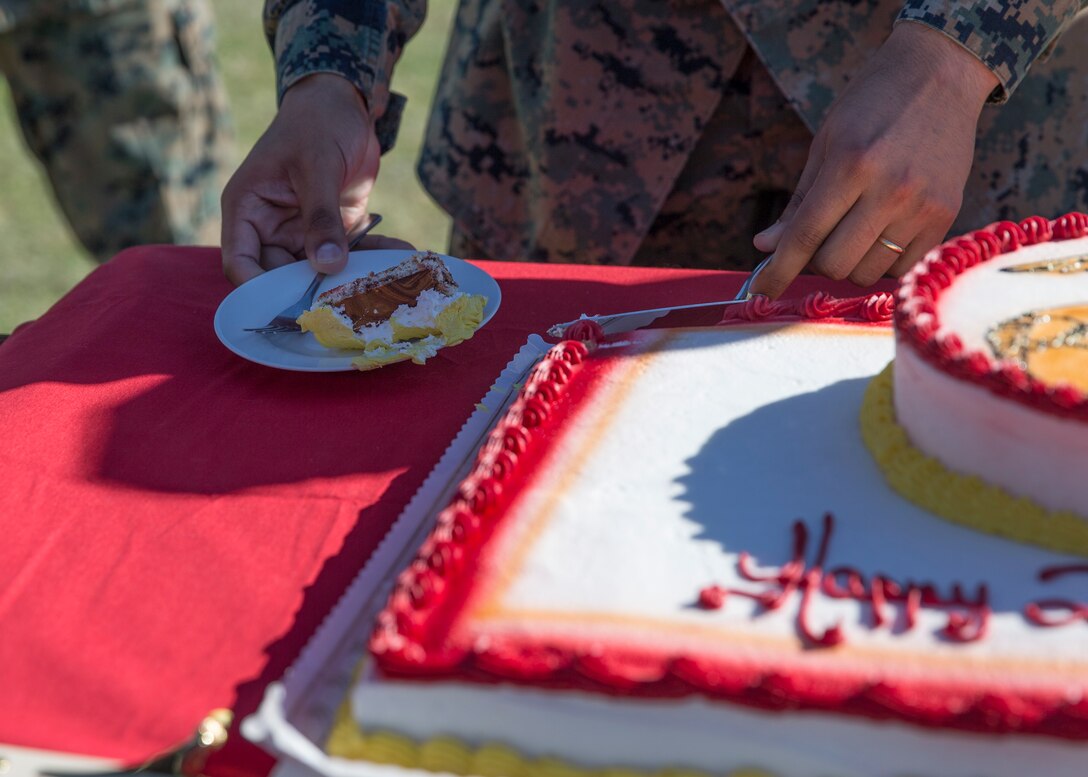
pixel 454 757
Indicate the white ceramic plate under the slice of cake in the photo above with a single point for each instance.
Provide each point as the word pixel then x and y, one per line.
pixel 255 303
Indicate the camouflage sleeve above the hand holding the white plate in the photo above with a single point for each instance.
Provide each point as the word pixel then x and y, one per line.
pixel 358 40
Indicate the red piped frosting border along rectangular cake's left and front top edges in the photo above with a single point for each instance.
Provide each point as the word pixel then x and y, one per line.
pixel 411 638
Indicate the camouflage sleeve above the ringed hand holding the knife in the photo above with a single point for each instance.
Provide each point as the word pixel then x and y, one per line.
pixel 1008 38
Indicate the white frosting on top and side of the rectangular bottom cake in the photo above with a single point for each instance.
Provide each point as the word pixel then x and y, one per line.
pixel 686 459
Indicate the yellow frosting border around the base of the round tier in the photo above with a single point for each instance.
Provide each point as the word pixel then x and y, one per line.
pixel 961 499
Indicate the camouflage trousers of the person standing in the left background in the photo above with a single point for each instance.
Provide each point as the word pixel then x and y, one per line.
pixel 126 112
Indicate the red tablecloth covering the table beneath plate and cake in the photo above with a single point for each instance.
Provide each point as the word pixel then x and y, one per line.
pixel 177 521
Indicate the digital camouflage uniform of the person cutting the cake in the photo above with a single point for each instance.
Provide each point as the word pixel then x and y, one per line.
pixel 652 132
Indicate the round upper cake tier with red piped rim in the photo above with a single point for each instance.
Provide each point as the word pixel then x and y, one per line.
pixel 992 369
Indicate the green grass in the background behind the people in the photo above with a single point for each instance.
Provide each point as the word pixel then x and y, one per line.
pixel 41 261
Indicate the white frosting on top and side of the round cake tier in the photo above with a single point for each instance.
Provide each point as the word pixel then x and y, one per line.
pixel 974 431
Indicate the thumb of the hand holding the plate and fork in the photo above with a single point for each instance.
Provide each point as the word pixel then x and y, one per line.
pixel 326 240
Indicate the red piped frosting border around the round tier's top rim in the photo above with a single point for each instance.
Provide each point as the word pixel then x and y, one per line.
pixel 918 319
